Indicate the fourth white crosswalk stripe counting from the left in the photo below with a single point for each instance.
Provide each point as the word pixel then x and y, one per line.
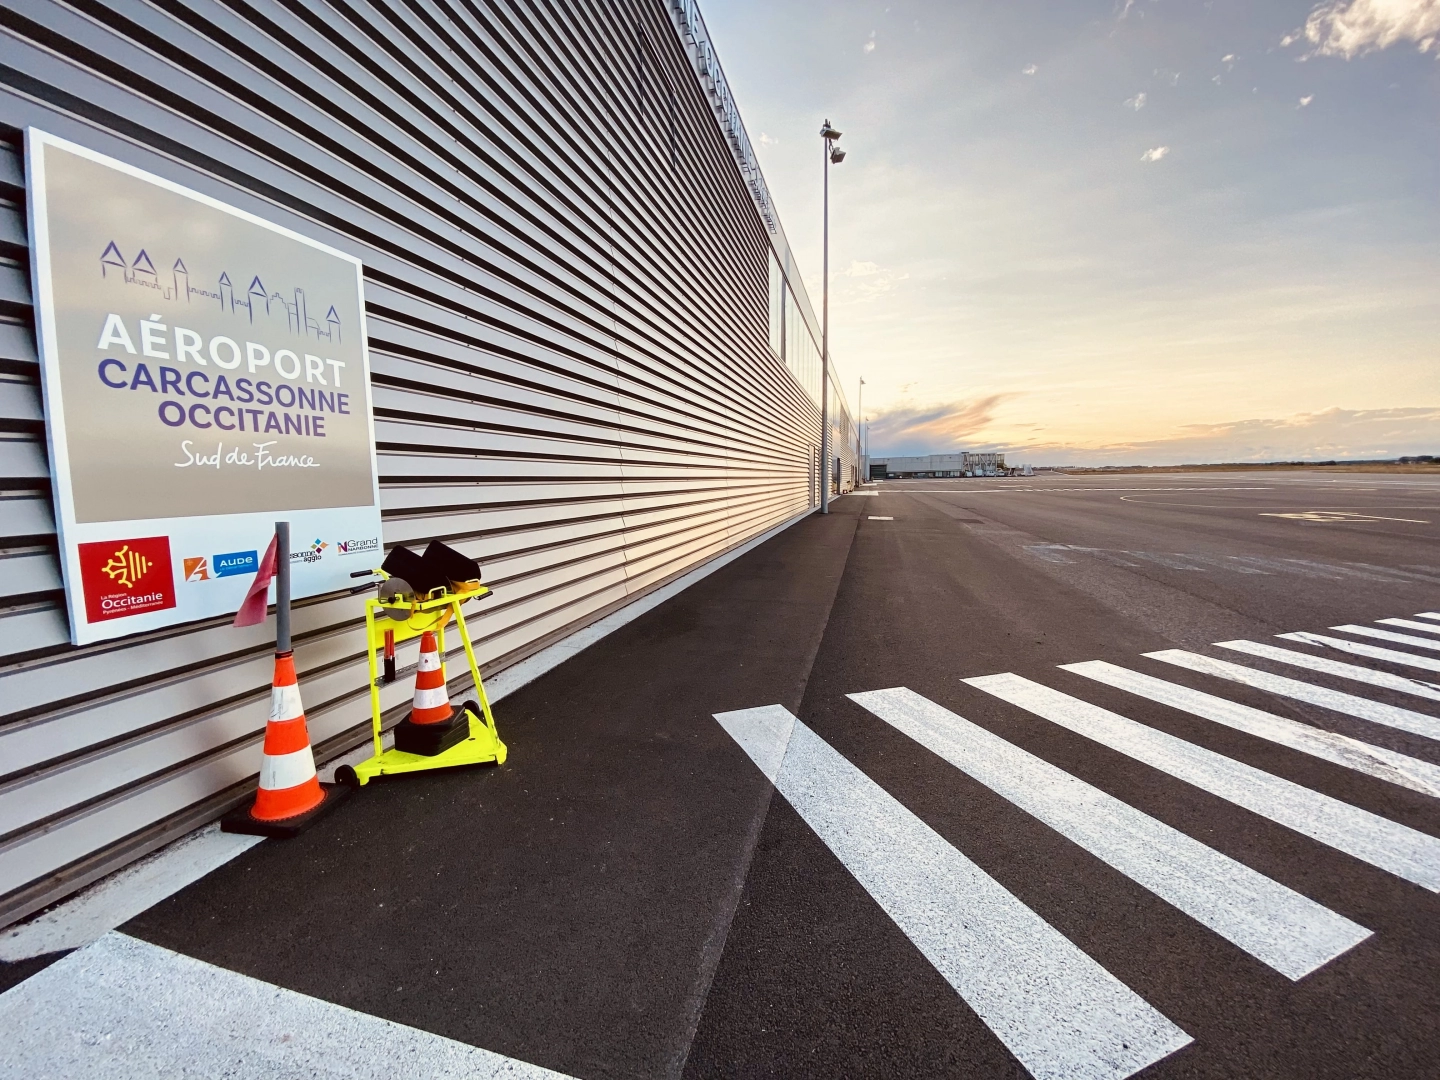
pixel 1338 750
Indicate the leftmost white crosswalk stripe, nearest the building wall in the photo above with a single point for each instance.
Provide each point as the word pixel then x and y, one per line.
pixel 1059 1012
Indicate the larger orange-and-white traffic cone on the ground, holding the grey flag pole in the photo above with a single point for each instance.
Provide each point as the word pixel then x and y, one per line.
pixel 290 794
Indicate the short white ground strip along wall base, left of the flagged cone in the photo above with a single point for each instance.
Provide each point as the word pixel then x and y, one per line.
pixel 125 895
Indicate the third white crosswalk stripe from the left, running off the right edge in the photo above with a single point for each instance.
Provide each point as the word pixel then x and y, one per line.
pixel 1369 837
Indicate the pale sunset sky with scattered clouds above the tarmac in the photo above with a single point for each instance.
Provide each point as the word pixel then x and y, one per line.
pixel 1114 231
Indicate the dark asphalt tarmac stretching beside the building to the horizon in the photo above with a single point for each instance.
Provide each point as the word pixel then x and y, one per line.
pixel 629 896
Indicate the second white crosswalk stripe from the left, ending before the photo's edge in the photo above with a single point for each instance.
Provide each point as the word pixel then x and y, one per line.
pixel 1274 924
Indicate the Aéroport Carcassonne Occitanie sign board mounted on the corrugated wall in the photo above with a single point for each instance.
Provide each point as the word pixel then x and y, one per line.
pixel 205 377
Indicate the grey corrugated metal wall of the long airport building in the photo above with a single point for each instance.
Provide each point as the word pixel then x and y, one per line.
pixel 567 287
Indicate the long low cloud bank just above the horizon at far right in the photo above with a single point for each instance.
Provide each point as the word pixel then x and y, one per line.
pixel 1327 436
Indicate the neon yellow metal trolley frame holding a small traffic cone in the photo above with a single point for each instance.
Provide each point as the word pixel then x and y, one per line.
pixel 483 747
